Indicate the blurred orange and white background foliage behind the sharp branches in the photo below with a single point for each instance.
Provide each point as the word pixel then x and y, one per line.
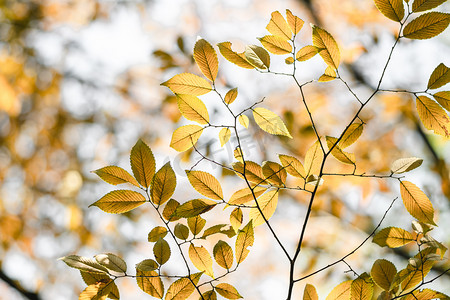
pixel 79 84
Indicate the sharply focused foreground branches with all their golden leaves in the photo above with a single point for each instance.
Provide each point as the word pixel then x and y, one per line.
pixel 257 201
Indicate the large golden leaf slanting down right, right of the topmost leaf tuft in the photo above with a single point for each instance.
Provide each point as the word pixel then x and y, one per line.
pixel 327 47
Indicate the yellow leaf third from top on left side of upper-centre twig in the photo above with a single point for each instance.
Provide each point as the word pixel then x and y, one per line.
pixel 192 108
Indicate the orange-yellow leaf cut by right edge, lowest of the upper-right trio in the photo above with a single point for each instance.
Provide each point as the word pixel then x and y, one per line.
pixel 433 117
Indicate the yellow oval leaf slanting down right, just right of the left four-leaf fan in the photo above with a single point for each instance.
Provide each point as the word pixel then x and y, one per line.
pixel 205 184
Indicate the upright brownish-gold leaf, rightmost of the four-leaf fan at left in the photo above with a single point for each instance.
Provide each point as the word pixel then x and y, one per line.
pixel 163 185
